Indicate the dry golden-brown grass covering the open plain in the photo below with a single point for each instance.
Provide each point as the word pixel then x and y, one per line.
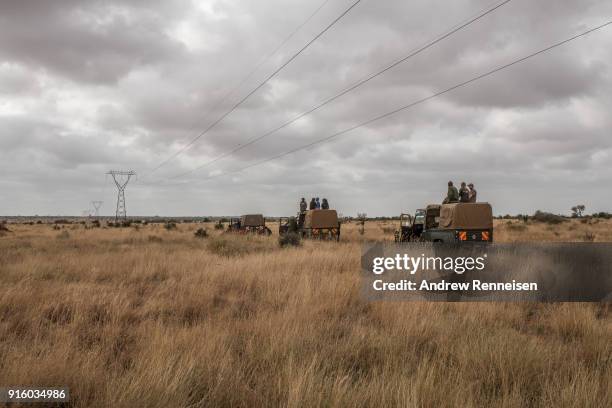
pixel 157 318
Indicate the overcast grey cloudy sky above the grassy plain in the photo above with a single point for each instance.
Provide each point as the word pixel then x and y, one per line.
pixel 88 86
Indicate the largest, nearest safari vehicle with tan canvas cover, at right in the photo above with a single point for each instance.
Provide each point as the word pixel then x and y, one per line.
pixel 457 222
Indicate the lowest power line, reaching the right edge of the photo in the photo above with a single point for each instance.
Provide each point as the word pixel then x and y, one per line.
pixel 413 104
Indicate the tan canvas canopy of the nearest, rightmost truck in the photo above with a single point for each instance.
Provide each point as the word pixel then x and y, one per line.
pixel 466 216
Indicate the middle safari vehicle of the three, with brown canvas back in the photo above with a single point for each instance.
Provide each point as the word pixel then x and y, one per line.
pixel 315 224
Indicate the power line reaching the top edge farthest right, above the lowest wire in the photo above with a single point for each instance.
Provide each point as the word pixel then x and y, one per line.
pixel 350 88
